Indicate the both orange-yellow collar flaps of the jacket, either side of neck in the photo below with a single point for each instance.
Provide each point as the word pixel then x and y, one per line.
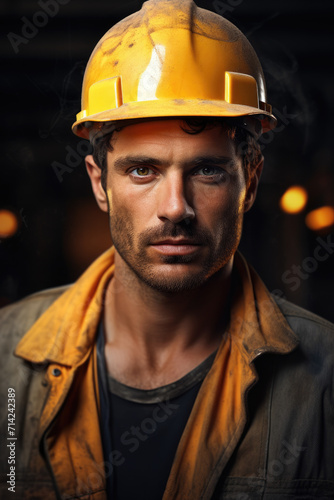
pixel 65 333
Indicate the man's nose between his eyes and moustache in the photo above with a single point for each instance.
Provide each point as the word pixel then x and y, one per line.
pixel 173 199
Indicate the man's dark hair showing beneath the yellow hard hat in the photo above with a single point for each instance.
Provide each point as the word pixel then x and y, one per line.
pixel 246 145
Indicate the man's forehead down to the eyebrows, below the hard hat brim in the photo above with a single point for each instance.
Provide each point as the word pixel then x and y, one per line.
pixel 166 143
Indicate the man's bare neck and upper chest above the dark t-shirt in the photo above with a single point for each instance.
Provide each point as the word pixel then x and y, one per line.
pixel 154 338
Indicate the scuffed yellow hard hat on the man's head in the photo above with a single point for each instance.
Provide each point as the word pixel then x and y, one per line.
pixel 173 59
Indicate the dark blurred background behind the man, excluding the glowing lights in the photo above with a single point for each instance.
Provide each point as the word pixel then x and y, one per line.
pixel 61 230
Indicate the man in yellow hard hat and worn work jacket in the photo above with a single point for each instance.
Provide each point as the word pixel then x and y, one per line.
pixel 168 370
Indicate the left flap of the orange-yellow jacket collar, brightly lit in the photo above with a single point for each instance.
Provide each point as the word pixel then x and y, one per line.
pixel 65 333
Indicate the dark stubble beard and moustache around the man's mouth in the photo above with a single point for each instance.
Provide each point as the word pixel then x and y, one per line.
pixel 138 263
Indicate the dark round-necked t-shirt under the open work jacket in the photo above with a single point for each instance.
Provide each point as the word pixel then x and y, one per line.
pixel 141 430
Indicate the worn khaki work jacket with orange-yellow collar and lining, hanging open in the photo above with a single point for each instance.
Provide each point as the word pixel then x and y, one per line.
pixel 262 425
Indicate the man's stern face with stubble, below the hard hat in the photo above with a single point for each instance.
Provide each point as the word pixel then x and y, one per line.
pixel 175 201
